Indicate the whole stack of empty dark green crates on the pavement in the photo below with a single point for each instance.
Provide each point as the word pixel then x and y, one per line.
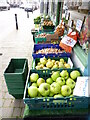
pixel 15 77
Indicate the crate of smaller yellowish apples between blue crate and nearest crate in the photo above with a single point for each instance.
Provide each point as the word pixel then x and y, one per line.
pixel 52 63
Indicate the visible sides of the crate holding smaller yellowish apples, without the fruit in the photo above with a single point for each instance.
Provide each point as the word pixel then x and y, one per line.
pixel 66 59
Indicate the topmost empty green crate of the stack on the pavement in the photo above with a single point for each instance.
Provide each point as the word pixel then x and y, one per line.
pixel 16 71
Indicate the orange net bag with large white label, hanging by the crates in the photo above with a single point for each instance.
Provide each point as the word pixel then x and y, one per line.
pixel 68 41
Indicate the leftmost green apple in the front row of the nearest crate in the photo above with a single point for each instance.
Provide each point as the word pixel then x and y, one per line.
pixel 32 91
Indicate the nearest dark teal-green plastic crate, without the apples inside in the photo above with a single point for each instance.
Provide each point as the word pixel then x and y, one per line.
pixel 50 102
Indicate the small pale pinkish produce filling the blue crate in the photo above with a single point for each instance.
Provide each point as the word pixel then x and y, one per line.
pixel 49 50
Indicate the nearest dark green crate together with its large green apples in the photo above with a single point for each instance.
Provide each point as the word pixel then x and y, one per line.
pixel 52 89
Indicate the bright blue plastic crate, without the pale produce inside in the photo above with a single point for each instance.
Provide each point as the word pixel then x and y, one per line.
pixel 42 46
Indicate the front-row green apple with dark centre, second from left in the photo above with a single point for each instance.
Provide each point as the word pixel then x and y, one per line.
pixel 44 89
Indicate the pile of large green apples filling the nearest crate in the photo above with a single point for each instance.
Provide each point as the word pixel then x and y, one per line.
pixel 59 84
